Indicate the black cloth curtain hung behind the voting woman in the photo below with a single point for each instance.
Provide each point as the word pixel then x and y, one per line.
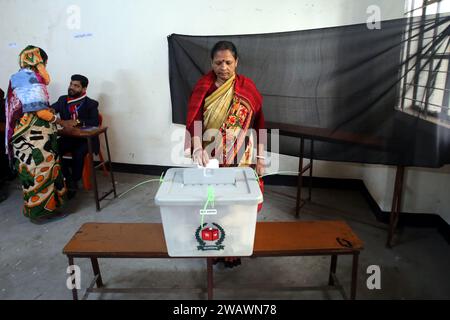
pixel 345 80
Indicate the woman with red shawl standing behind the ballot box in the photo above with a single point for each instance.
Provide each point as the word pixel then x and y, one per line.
pixel 223 110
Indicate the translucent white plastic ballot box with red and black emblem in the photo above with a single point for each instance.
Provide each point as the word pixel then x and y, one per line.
pixel 209 212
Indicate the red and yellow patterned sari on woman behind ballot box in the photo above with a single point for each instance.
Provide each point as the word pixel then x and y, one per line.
pixel 230 111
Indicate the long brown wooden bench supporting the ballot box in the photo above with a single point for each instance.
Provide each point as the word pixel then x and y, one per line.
pixel 272 239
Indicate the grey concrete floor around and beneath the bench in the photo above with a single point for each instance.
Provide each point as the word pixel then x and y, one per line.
pixel 32 265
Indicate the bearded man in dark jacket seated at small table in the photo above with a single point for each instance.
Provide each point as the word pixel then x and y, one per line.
pixel 76 106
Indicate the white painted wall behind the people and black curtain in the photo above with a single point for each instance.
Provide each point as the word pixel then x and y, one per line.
pixel 124 53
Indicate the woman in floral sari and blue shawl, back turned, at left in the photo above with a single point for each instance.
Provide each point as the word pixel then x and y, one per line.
pixel 31 136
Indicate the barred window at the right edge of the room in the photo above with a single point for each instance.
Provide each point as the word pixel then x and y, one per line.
pixel 425 86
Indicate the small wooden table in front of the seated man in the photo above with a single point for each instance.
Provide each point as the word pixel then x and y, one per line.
pixel 89 134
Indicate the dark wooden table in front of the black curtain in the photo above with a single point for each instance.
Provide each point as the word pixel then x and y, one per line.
pixel 342 137
